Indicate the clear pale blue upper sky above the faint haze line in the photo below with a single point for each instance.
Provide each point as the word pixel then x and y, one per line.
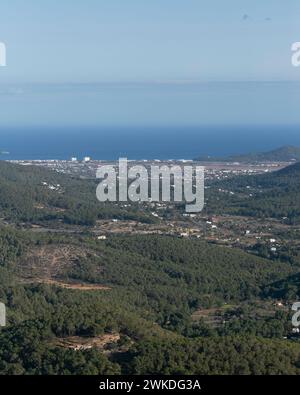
pixel 160 40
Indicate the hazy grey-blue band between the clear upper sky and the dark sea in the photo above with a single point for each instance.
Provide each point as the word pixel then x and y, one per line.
pixel 149 104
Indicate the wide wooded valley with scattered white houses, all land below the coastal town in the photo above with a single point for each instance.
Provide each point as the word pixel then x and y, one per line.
pixel 106 283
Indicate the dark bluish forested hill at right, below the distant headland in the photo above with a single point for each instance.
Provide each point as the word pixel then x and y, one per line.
pixel 274 194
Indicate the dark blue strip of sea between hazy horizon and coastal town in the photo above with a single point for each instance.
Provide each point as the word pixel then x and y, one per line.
pixel 144 143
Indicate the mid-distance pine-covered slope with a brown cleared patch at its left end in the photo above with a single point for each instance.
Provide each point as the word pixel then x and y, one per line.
pixel 163 275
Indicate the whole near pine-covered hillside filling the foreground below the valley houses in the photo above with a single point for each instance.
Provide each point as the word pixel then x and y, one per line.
pixel 153 286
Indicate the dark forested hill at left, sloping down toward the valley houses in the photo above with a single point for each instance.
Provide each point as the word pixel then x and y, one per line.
pixel 36 194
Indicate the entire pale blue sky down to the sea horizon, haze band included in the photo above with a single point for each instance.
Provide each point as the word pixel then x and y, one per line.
pixel 174 46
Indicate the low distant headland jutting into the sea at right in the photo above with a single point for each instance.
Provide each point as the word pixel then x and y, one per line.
pixel 287 153
